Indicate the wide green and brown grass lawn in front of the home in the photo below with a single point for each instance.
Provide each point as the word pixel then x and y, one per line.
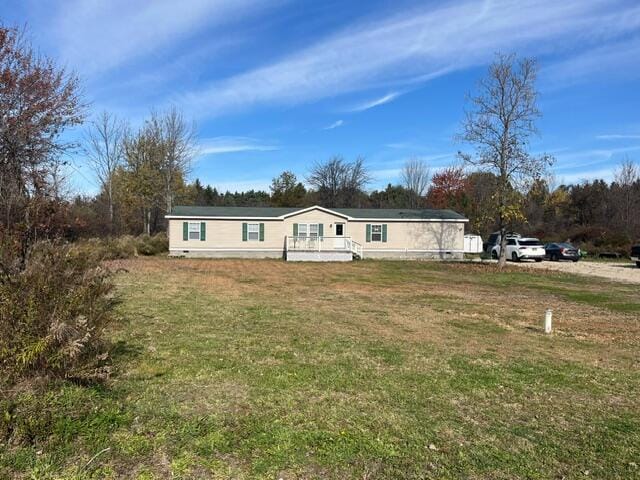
pixel 372 369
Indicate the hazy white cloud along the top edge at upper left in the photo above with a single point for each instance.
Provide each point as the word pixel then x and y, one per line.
pixel 94 36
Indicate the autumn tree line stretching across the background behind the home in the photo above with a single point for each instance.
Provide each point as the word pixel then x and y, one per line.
pixel 597 214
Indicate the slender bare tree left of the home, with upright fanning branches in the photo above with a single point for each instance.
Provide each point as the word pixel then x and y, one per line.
pixel 104 146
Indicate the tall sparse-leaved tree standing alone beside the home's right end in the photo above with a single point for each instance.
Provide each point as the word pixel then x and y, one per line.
pixel 499 124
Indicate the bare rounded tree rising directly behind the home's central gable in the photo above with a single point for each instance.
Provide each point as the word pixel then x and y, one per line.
pixel 338 183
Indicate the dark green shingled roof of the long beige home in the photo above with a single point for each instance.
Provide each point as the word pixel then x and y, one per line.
pixel 378 213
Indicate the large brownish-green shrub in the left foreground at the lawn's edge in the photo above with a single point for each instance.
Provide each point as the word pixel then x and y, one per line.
pixel 53 311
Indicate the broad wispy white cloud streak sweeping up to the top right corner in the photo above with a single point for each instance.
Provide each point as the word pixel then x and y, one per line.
pixel 419 44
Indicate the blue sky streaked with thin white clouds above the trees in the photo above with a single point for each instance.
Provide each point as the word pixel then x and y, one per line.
pixel 278 84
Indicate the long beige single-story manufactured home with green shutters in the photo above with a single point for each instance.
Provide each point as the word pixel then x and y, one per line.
pixel 315 233
